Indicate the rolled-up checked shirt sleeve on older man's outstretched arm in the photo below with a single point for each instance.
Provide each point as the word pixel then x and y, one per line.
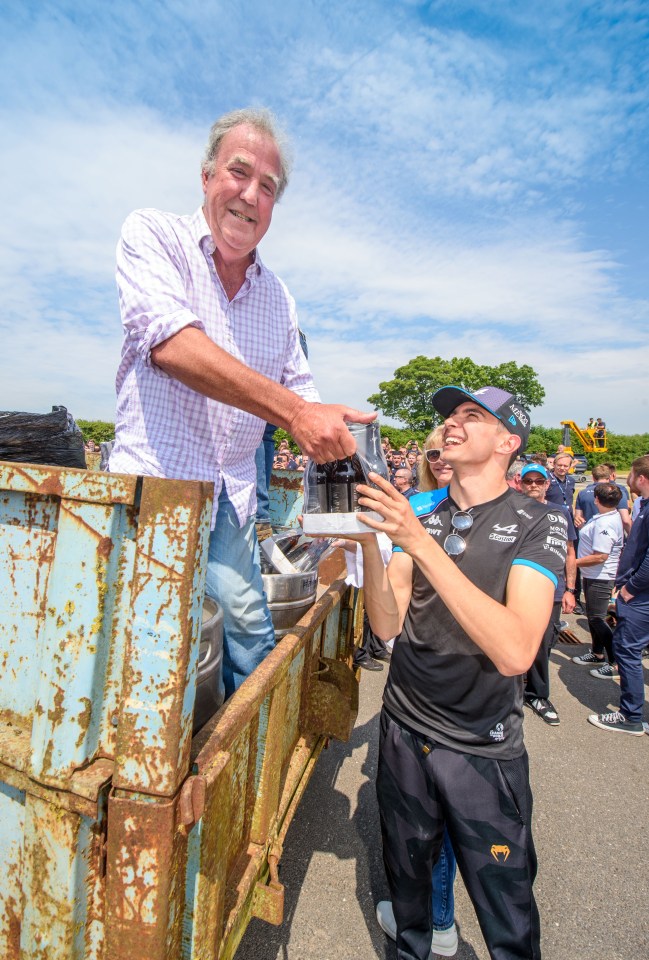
pixel 152 284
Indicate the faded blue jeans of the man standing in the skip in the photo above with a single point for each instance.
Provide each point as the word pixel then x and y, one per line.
pixel 234 581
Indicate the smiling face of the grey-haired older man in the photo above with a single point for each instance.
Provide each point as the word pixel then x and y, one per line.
pixel 240 193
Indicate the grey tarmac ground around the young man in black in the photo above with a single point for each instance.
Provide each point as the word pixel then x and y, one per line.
pixel 591 793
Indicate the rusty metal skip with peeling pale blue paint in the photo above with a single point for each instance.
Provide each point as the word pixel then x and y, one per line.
pixel 121 836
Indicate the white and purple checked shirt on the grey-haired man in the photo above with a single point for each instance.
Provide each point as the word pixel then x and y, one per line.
pixel 167 280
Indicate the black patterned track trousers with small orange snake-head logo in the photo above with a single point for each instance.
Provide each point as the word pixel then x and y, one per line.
pixel 486 805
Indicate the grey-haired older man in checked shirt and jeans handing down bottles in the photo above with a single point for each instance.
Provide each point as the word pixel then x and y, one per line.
pixel 211 353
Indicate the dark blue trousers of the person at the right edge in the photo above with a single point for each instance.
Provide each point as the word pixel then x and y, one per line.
pixel 629 640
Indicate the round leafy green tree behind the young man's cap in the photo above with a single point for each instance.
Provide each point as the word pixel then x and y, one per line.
pixel 409 396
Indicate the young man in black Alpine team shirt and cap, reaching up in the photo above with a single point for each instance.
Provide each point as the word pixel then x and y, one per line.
pixel 468 591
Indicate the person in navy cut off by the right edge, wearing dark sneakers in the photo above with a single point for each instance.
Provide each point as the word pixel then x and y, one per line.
pixel 632 631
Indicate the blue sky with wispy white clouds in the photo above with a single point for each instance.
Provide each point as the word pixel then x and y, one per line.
pixel 470 179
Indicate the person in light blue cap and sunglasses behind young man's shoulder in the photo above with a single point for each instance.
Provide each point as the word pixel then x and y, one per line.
pixel 535 481
